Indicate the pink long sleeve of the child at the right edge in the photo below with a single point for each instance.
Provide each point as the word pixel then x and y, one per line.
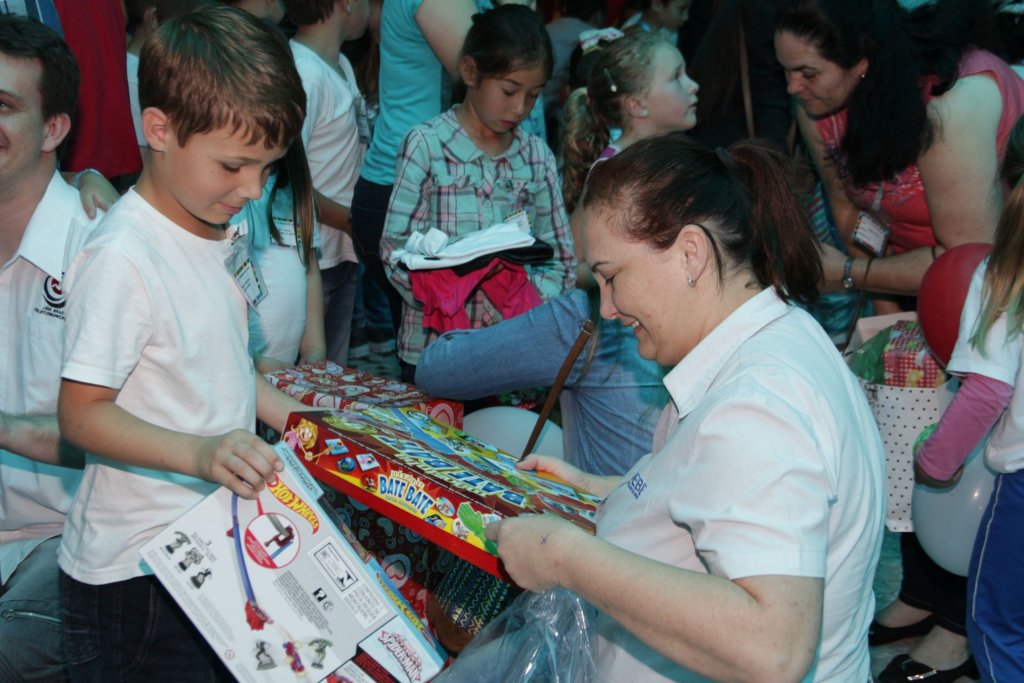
pixel 974 410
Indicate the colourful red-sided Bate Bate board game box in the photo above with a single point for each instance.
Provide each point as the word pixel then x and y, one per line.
pixel 430 478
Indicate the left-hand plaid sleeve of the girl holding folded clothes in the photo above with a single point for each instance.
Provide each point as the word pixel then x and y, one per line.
pixel 409 210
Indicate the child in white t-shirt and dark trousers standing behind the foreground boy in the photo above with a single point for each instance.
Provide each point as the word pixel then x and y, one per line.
pixel 335 136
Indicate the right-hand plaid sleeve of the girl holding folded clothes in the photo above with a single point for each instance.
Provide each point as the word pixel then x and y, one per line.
pixel 551 226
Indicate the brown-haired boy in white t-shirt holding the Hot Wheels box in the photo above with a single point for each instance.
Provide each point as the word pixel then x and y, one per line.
pixel 158 385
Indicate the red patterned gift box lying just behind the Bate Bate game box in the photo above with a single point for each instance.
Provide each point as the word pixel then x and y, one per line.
pixel 327 385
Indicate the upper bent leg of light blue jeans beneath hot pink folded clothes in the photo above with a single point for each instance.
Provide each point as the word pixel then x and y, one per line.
pixel 522 353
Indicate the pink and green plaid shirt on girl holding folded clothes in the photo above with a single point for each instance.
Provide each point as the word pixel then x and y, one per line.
pixel 445 182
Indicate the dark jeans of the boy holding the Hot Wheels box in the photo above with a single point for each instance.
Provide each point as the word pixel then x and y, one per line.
pixel 133 631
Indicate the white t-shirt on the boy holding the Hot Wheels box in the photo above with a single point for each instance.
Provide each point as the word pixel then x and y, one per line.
pixel 153 313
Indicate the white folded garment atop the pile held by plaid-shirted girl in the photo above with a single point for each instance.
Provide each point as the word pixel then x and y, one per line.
pixel 434 249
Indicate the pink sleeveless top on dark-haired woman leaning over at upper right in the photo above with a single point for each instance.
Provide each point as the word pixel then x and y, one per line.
pixel 904 199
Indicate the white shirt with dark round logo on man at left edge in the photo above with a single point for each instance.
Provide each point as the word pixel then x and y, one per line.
pixel 35 497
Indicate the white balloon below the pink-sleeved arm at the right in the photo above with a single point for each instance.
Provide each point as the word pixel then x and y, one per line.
pixel 947 520
